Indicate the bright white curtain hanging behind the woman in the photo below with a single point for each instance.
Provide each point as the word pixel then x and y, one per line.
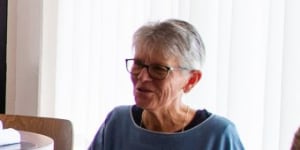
pixel 251 73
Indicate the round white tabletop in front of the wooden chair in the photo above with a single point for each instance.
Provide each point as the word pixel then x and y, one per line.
pixel 31 141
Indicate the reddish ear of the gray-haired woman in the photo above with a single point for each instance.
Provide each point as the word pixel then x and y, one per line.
pixel 192 80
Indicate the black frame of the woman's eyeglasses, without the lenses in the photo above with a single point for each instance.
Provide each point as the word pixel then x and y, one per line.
pixel 168 68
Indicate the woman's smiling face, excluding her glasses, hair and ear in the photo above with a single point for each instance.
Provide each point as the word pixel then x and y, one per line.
pixel 154 94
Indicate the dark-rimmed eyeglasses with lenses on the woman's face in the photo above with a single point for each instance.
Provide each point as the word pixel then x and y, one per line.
pixel 155 71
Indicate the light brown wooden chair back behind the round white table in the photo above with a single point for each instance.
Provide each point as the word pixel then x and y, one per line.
pixel 60 130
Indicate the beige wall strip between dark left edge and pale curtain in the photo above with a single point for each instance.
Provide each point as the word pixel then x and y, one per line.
pixel 23 55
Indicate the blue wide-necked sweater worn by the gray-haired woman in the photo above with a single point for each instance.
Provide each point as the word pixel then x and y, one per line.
pixel 120 132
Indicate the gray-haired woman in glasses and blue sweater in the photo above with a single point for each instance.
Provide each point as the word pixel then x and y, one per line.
pixel 166 65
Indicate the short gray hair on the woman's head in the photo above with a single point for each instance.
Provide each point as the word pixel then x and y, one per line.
pixel 172 37
